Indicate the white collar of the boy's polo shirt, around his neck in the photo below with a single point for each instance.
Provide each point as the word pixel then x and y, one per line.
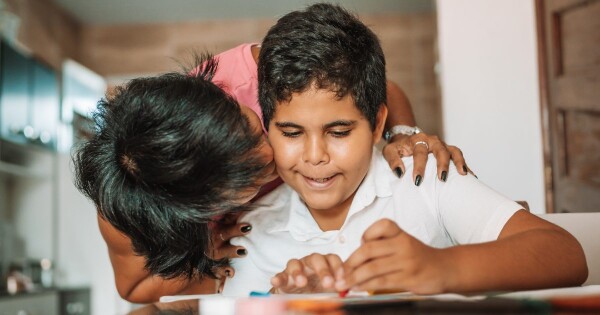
pixel 302 226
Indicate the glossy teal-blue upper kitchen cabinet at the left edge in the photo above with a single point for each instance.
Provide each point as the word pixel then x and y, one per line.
pixel 29 99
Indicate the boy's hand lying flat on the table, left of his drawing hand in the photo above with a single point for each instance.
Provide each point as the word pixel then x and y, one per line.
pixel 311 274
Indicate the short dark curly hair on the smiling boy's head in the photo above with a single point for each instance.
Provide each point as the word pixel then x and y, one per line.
pixel 325 46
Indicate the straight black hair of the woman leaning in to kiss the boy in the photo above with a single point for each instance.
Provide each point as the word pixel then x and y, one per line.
pixel 169 154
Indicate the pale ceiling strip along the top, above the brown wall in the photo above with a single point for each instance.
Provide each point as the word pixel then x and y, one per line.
pixel 106 12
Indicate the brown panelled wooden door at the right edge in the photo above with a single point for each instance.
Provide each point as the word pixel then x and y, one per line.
pixel 569 51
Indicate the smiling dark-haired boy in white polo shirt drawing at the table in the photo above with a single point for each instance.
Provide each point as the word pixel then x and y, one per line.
pixel 322 89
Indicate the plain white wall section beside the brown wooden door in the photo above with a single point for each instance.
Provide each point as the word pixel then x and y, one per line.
pixel 490 96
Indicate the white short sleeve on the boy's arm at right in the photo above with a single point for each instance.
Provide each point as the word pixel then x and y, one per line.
pixel 470 211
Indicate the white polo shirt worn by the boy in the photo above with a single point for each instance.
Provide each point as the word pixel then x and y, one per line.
pixel 460 211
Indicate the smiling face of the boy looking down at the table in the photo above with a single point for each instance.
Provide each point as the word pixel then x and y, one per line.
pixel 322 147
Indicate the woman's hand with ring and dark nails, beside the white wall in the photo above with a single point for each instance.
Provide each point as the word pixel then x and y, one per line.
pixel 402 145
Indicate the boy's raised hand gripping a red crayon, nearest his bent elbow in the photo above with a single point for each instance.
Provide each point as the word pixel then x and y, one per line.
pixel 389 258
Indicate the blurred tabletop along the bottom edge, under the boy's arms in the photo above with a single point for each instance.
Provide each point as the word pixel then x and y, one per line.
pixel 580 300
